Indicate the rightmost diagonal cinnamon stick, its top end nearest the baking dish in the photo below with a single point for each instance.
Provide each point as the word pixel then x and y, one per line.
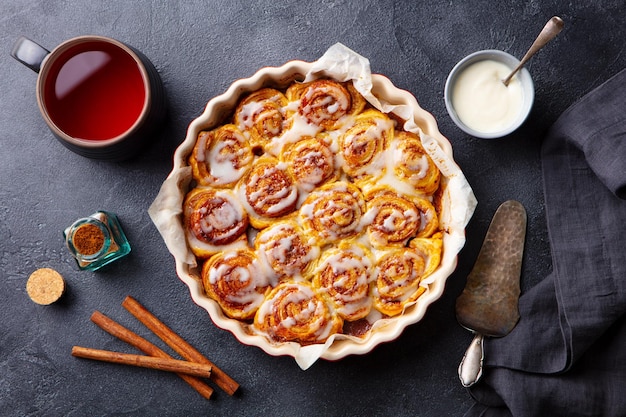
pixel 177 343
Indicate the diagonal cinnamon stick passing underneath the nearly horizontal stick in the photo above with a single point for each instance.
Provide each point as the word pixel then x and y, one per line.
pixel 112 327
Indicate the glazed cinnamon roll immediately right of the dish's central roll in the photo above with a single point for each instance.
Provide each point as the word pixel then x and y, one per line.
pixel 394 220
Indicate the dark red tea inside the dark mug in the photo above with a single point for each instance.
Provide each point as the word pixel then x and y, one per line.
pixel 94 91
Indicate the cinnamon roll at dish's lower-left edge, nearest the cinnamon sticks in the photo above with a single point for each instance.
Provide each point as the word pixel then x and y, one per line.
pixel 236 282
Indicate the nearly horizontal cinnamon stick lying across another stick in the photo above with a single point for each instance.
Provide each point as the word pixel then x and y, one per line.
pixel 162 364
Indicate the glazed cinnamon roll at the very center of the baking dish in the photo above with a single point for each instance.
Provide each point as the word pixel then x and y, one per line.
pixel 333 212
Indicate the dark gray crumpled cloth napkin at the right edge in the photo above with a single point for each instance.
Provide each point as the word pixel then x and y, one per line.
pixel 567 355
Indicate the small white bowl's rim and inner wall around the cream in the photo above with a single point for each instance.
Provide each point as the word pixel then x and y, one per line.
pixel 528 91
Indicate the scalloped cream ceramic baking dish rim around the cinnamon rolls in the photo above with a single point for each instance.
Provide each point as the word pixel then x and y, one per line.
pixel 166 211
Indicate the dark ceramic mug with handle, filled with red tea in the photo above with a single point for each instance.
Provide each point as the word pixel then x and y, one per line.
pixel 101 98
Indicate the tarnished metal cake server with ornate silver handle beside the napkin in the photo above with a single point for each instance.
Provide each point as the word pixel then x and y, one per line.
pixel 488 306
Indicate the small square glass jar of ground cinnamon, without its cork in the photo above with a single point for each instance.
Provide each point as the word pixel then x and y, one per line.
pixel 96 241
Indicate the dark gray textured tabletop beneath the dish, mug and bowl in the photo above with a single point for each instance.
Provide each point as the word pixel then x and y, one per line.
pixel 199 49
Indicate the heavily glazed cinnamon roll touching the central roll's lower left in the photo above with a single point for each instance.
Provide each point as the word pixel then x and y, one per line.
pixel 285 249
